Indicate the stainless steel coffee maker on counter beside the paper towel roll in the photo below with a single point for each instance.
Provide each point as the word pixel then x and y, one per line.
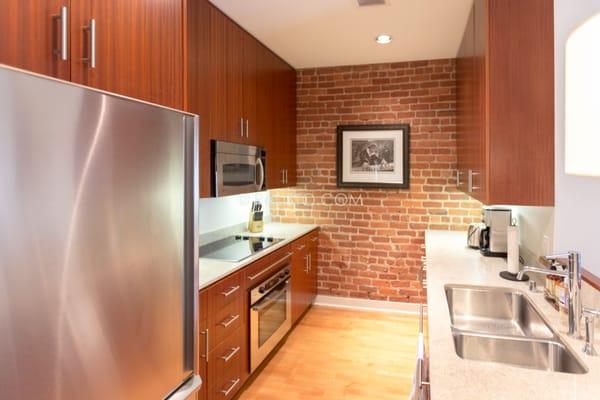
pixel 493 238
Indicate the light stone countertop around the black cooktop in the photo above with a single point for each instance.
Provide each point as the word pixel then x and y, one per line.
pixel 210 271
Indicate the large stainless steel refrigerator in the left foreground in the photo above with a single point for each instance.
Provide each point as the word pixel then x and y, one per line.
pixel 98 247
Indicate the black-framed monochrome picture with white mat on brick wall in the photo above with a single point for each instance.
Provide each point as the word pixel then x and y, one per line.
pixel 373 156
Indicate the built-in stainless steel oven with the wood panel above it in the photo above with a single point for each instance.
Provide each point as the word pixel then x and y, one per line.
pixel 270 310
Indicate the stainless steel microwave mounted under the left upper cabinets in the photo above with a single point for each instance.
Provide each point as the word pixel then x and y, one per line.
pixel 237 168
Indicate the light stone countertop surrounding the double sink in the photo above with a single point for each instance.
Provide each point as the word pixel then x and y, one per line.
pixel 450 261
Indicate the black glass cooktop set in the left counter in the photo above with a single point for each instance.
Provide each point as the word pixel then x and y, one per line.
pixel 236 248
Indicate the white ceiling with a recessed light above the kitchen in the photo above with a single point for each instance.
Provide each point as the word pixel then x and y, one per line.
pixel 316 33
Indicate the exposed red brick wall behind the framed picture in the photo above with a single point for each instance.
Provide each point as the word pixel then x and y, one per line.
pixel 370 245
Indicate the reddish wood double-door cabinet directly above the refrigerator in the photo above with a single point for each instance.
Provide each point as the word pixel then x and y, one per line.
pixel 133 48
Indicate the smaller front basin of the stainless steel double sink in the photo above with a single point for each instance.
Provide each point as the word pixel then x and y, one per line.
pixel 547 355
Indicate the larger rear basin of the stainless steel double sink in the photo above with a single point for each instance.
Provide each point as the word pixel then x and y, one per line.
pixel 496 311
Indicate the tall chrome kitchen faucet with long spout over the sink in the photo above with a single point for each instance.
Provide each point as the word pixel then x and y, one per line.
pixel 572 262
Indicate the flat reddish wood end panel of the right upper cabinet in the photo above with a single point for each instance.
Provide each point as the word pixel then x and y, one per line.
pixel 521 102
